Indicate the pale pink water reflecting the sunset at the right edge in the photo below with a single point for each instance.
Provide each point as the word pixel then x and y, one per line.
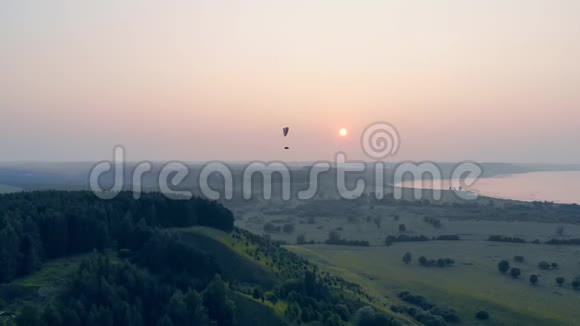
pixel 559 187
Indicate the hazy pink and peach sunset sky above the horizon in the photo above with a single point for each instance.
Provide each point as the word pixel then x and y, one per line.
pixel 483 80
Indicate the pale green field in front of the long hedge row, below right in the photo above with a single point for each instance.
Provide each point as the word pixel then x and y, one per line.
pixel 471 285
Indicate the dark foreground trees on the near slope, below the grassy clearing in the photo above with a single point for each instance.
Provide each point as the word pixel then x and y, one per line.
pixel 175 285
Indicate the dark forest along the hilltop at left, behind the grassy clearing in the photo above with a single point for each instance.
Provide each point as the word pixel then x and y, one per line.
pixel 37 226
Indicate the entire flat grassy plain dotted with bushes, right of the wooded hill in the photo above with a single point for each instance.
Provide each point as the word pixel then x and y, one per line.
pixel 472 284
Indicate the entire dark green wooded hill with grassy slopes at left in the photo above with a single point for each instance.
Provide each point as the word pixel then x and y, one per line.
pixel 68 258
